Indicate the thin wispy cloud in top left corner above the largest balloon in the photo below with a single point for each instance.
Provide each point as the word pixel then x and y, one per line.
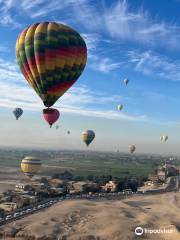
pixel 11 9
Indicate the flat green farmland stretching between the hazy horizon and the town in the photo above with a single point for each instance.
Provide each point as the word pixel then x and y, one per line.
pixel 88 163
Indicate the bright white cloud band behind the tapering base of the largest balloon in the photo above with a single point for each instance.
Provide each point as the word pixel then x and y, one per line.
pixel 14 91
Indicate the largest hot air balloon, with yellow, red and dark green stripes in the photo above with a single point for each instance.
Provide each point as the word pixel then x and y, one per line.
pixel 51 57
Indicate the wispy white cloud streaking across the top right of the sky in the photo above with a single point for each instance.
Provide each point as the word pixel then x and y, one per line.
pixel 120 22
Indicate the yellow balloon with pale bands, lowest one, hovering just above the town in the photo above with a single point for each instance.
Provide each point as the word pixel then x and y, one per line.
pixel 30 166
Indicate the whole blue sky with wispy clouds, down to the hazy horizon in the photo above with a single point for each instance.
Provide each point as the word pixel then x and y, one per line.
pixel 138 40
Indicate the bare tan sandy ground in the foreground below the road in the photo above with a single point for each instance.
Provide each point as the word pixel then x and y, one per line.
pixel 105 220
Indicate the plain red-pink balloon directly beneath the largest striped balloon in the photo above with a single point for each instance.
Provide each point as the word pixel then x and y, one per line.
pixel 51 115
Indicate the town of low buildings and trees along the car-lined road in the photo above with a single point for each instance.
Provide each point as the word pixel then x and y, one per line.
pixel 44 191
